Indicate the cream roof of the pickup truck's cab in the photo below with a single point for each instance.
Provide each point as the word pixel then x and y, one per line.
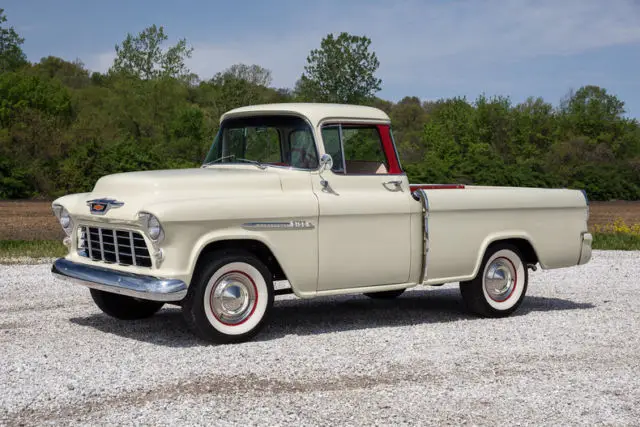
pixel 313 111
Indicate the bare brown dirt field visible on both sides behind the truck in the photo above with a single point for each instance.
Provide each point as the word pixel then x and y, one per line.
pixel 33 220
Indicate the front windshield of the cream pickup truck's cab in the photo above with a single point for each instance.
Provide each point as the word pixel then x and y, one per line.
pixel 264 140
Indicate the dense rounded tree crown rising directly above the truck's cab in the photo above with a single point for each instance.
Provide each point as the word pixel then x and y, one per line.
pixel 342 70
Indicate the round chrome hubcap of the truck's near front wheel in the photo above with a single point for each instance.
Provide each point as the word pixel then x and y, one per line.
pixel 233 298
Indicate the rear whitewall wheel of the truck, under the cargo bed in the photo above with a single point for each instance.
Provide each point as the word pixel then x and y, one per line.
pixel 501 283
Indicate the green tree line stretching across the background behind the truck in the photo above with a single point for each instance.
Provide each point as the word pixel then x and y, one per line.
pixel 63 127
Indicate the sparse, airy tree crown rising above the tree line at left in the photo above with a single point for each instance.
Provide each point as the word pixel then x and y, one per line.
pixel 143 56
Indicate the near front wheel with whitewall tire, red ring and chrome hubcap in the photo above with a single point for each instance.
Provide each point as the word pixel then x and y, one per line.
pixel 229 298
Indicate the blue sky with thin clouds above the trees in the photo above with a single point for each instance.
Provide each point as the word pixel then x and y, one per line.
pixel 430 48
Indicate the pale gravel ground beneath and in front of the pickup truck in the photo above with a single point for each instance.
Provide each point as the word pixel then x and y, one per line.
pixel 570 355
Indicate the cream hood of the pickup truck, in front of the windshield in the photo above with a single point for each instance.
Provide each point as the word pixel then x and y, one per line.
pixel 138 189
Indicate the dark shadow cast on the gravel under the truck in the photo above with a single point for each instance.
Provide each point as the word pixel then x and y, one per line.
pixel 322 315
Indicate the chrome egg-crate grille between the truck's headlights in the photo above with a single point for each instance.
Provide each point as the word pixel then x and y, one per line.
pixel 124 247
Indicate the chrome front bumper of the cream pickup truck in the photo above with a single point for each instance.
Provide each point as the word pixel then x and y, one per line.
pixel 117 282
